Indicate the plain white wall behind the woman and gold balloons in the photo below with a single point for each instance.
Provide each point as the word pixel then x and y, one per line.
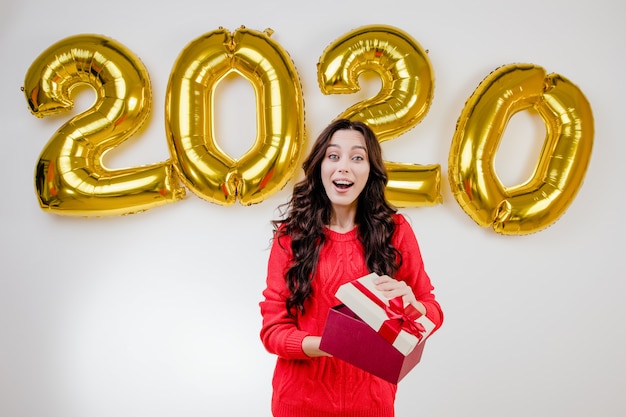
pixel 157 313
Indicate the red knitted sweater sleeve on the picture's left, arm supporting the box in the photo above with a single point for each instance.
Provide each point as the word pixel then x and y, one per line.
pixel 279 332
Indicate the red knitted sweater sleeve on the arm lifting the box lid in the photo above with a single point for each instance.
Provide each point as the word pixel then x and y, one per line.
pixel 412 270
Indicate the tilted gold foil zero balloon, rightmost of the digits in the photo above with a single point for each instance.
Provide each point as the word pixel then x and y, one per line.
pixel 563 161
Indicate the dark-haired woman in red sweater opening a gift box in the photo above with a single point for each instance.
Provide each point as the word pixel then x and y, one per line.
pixel 337 227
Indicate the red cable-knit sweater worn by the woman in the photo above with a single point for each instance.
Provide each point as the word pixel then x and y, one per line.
pixel 326 386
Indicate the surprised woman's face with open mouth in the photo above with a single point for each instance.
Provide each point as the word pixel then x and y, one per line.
pixel 345 168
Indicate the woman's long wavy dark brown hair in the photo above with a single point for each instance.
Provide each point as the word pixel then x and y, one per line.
pixel 309 210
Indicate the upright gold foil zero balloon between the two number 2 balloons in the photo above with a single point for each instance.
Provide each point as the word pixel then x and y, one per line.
pixel 267 166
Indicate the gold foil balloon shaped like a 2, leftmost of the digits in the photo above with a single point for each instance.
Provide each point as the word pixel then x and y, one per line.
pixel 70 178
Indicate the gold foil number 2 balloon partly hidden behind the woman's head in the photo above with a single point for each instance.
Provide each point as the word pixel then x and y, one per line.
pixel 407 85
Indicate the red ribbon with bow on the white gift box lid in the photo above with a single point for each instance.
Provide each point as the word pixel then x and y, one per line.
pixel 400 317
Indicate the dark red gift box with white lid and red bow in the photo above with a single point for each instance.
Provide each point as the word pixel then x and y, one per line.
pixel 368 331
